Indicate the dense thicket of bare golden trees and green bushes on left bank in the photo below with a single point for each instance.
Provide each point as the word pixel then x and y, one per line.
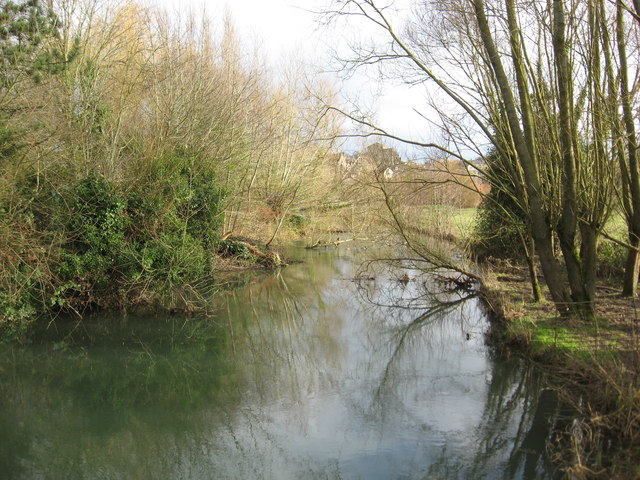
pixel 130 141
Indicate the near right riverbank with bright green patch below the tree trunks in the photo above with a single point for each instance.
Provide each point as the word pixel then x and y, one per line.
pixel 593 366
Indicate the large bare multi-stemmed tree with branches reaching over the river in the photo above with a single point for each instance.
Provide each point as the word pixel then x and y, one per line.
pixel 531 93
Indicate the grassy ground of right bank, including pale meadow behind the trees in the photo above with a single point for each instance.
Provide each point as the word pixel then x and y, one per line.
pixel 592 364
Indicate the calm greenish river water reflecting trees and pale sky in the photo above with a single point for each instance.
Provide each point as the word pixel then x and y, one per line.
pixel 320 371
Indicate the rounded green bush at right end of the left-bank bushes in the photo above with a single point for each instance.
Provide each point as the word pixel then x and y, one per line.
pixel 176 216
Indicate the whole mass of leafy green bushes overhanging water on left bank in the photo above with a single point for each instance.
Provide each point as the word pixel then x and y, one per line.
pixel 83 241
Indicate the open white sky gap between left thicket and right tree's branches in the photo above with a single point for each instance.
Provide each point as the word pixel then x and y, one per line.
pixel 284 28
